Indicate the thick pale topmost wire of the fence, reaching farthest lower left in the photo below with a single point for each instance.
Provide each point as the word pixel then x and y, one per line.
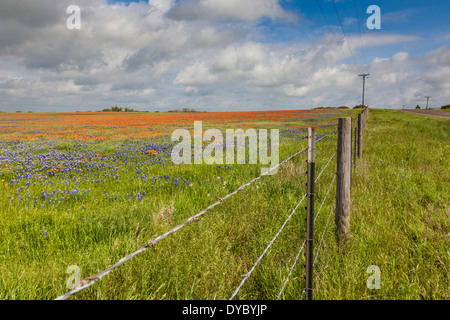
pixel 89 281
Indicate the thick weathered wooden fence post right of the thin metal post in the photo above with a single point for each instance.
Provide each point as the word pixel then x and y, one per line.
pixel 343 172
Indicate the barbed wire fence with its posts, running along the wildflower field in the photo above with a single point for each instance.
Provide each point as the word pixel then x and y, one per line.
pixel 359 128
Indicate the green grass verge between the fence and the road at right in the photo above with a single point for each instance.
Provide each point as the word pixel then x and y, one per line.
pixel 400 218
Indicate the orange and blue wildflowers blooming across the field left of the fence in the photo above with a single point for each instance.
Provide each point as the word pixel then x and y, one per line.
pixel 71 161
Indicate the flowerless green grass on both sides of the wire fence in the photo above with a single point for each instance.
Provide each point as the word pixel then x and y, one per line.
pixel 400 222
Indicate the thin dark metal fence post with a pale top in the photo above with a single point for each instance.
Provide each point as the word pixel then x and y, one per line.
pixel 310 214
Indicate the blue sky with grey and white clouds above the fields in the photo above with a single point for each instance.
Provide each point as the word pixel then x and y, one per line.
pixel 222 55
